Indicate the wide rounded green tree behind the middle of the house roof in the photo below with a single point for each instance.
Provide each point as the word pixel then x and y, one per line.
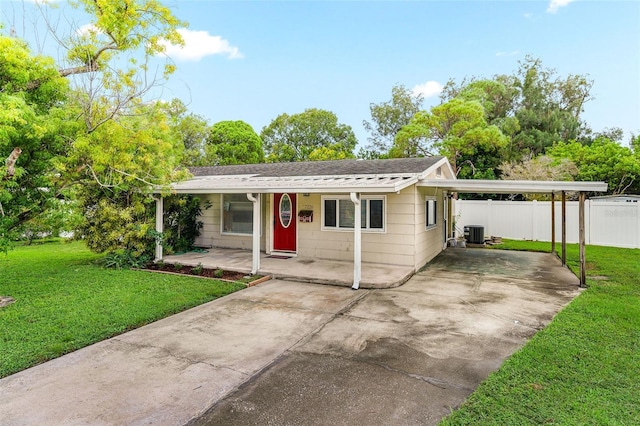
pixel 312 134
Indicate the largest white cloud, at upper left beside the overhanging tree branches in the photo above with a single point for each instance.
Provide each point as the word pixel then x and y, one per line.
pixel 198 44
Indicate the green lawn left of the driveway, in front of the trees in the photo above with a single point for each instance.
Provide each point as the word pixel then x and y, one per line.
pixel 65 300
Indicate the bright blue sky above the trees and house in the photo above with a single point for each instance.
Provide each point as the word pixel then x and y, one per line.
pixel 253 60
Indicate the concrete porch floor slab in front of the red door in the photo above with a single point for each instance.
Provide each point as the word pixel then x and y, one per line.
pixel 319 271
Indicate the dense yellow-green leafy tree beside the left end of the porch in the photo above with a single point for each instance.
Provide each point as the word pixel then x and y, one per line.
pixel 116 167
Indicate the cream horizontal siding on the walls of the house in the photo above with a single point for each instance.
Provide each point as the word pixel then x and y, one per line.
pixel 405 241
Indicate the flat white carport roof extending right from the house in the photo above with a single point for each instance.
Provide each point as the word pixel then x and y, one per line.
pixel 512 186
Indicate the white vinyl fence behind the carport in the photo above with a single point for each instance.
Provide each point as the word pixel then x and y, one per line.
pixel 607 223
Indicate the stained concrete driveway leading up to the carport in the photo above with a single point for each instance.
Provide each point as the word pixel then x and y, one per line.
pixel 304 354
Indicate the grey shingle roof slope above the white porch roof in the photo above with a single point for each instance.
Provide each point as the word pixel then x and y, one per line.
pixel 323 168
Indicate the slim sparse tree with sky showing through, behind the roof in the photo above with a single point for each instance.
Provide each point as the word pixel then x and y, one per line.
pixel 387 118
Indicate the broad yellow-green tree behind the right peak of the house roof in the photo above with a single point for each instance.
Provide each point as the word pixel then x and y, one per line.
pixel 453 129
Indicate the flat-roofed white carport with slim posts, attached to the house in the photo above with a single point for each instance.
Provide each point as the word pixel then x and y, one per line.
pixel 533 187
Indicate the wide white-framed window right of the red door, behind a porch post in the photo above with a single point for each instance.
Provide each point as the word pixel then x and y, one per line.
pixel 338 213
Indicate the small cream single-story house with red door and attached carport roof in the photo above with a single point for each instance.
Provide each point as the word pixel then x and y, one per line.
pixel 394 211
